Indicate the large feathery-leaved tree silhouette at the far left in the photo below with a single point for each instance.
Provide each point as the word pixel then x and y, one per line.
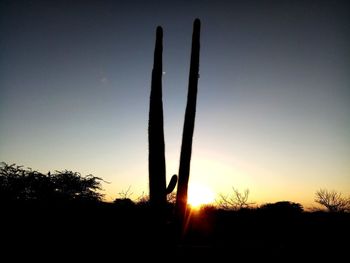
pixel 19 184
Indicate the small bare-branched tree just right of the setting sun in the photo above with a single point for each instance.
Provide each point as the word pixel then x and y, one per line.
pixel 235 201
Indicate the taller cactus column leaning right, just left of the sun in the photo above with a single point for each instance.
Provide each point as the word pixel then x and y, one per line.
pixel 186 147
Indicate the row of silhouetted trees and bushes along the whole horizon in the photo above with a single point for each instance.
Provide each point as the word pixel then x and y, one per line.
pixel 20 185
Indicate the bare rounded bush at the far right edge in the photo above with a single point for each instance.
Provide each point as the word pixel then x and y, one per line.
pixel 333 201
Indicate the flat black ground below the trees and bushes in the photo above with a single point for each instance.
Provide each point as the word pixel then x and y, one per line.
pixel 108 232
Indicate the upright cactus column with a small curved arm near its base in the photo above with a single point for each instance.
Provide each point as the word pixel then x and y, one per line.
pixel 156 158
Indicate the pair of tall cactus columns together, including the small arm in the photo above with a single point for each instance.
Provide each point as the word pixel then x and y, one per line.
pixel 157 168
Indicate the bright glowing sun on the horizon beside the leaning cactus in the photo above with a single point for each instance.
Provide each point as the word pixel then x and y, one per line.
pixel 199 195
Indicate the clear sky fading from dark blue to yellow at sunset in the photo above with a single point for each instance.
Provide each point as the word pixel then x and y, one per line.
pixel 273 112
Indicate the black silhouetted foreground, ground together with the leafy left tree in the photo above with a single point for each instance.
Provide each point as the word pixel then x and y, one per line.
pixel 40 226
